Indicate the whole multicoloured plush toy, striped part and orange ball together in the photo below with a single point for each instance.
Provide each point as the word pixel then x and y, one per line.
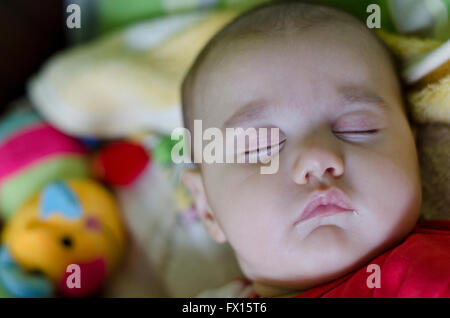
pixel 58 222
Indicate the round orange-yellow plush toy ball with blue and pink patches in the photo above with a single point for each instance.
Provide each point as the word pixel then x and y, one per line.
pixel 68 222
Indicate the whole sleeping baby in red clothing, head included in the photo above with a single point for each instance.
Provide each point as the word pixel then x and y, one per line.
pixel 347 192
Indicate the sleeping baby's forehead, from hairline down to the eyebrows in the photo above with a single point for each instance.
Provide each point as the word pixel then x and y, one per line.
pixel 296 66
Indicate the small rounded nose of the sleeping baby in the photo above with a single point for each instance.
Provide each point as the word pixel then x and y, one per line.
pixel 319 162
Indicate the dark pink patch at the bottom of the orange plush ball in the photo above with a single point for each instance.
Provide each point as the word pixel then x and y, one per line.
pixel 92 275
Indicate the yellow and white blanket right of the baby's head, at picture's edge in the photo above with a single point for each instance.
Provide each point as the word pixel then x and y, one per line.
pixel 426 65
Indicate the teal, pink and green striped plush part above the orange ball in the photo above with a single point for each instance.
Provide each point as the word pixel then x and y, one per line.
pixel 32 154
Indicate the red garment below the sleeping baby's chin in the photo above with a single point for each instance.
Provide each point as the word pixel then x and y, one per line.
pixel 419 266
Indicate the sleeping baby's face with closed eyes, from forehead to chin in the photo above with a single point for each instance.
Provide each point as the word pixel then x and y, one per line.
pixel 333 94
